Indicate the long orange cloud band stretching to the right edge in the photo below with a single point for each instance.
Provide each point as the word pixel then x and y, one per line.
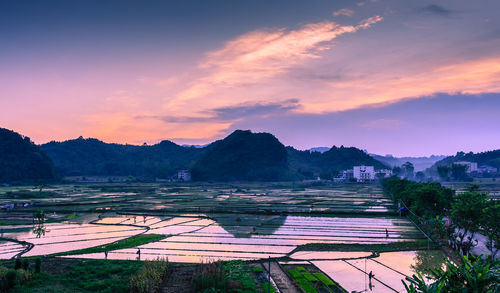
pixel 471 77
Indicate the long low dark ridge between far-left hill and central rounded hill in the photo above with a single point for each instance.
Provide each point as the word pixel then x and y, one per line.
pixel 94 157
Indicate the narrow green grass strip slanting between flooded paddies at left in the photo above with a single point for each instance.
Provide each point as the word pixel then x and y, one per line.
pixel 121 244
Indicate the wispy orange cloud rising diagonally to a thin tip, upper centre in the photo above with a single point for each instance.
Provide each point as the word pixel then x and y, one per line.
pixel 256 57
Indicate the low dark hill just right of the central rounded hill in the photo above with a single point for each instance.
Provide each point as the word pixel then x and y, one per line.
pixel 336 159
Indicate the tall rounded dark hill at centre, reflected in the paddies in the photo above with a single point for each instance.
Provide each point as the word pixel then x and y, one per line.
pixel 243 155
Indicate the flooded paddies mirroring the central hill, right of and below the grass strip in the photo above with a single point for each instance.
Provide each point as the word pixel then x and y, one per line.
pixel 195 239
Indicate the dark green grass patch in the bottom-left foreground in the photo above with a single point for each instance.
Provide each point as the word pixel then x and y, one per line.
pixel 102 276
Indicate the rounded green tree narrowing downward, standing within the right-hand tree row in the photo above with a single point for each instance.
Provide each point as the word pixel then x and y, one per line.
pixel 466 212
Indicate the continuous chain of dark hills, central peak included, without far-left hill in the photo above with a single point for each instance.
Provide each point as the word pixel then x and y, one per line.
pixel 241 156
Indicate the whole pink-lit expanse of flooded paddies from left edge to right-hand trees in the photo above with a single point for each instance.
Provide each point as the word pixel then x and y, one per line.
pixel 196 238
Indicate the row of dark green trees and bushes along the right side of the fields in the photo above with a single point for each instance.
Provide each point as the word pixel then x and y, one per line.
pixel 468 213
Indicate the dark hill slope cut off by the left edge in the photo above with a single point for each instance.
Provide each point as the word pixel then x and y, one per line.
pixel 21 161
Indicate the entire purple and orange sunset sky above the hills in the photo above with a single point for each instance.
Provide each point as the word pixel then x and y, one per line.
pixel 408 78
